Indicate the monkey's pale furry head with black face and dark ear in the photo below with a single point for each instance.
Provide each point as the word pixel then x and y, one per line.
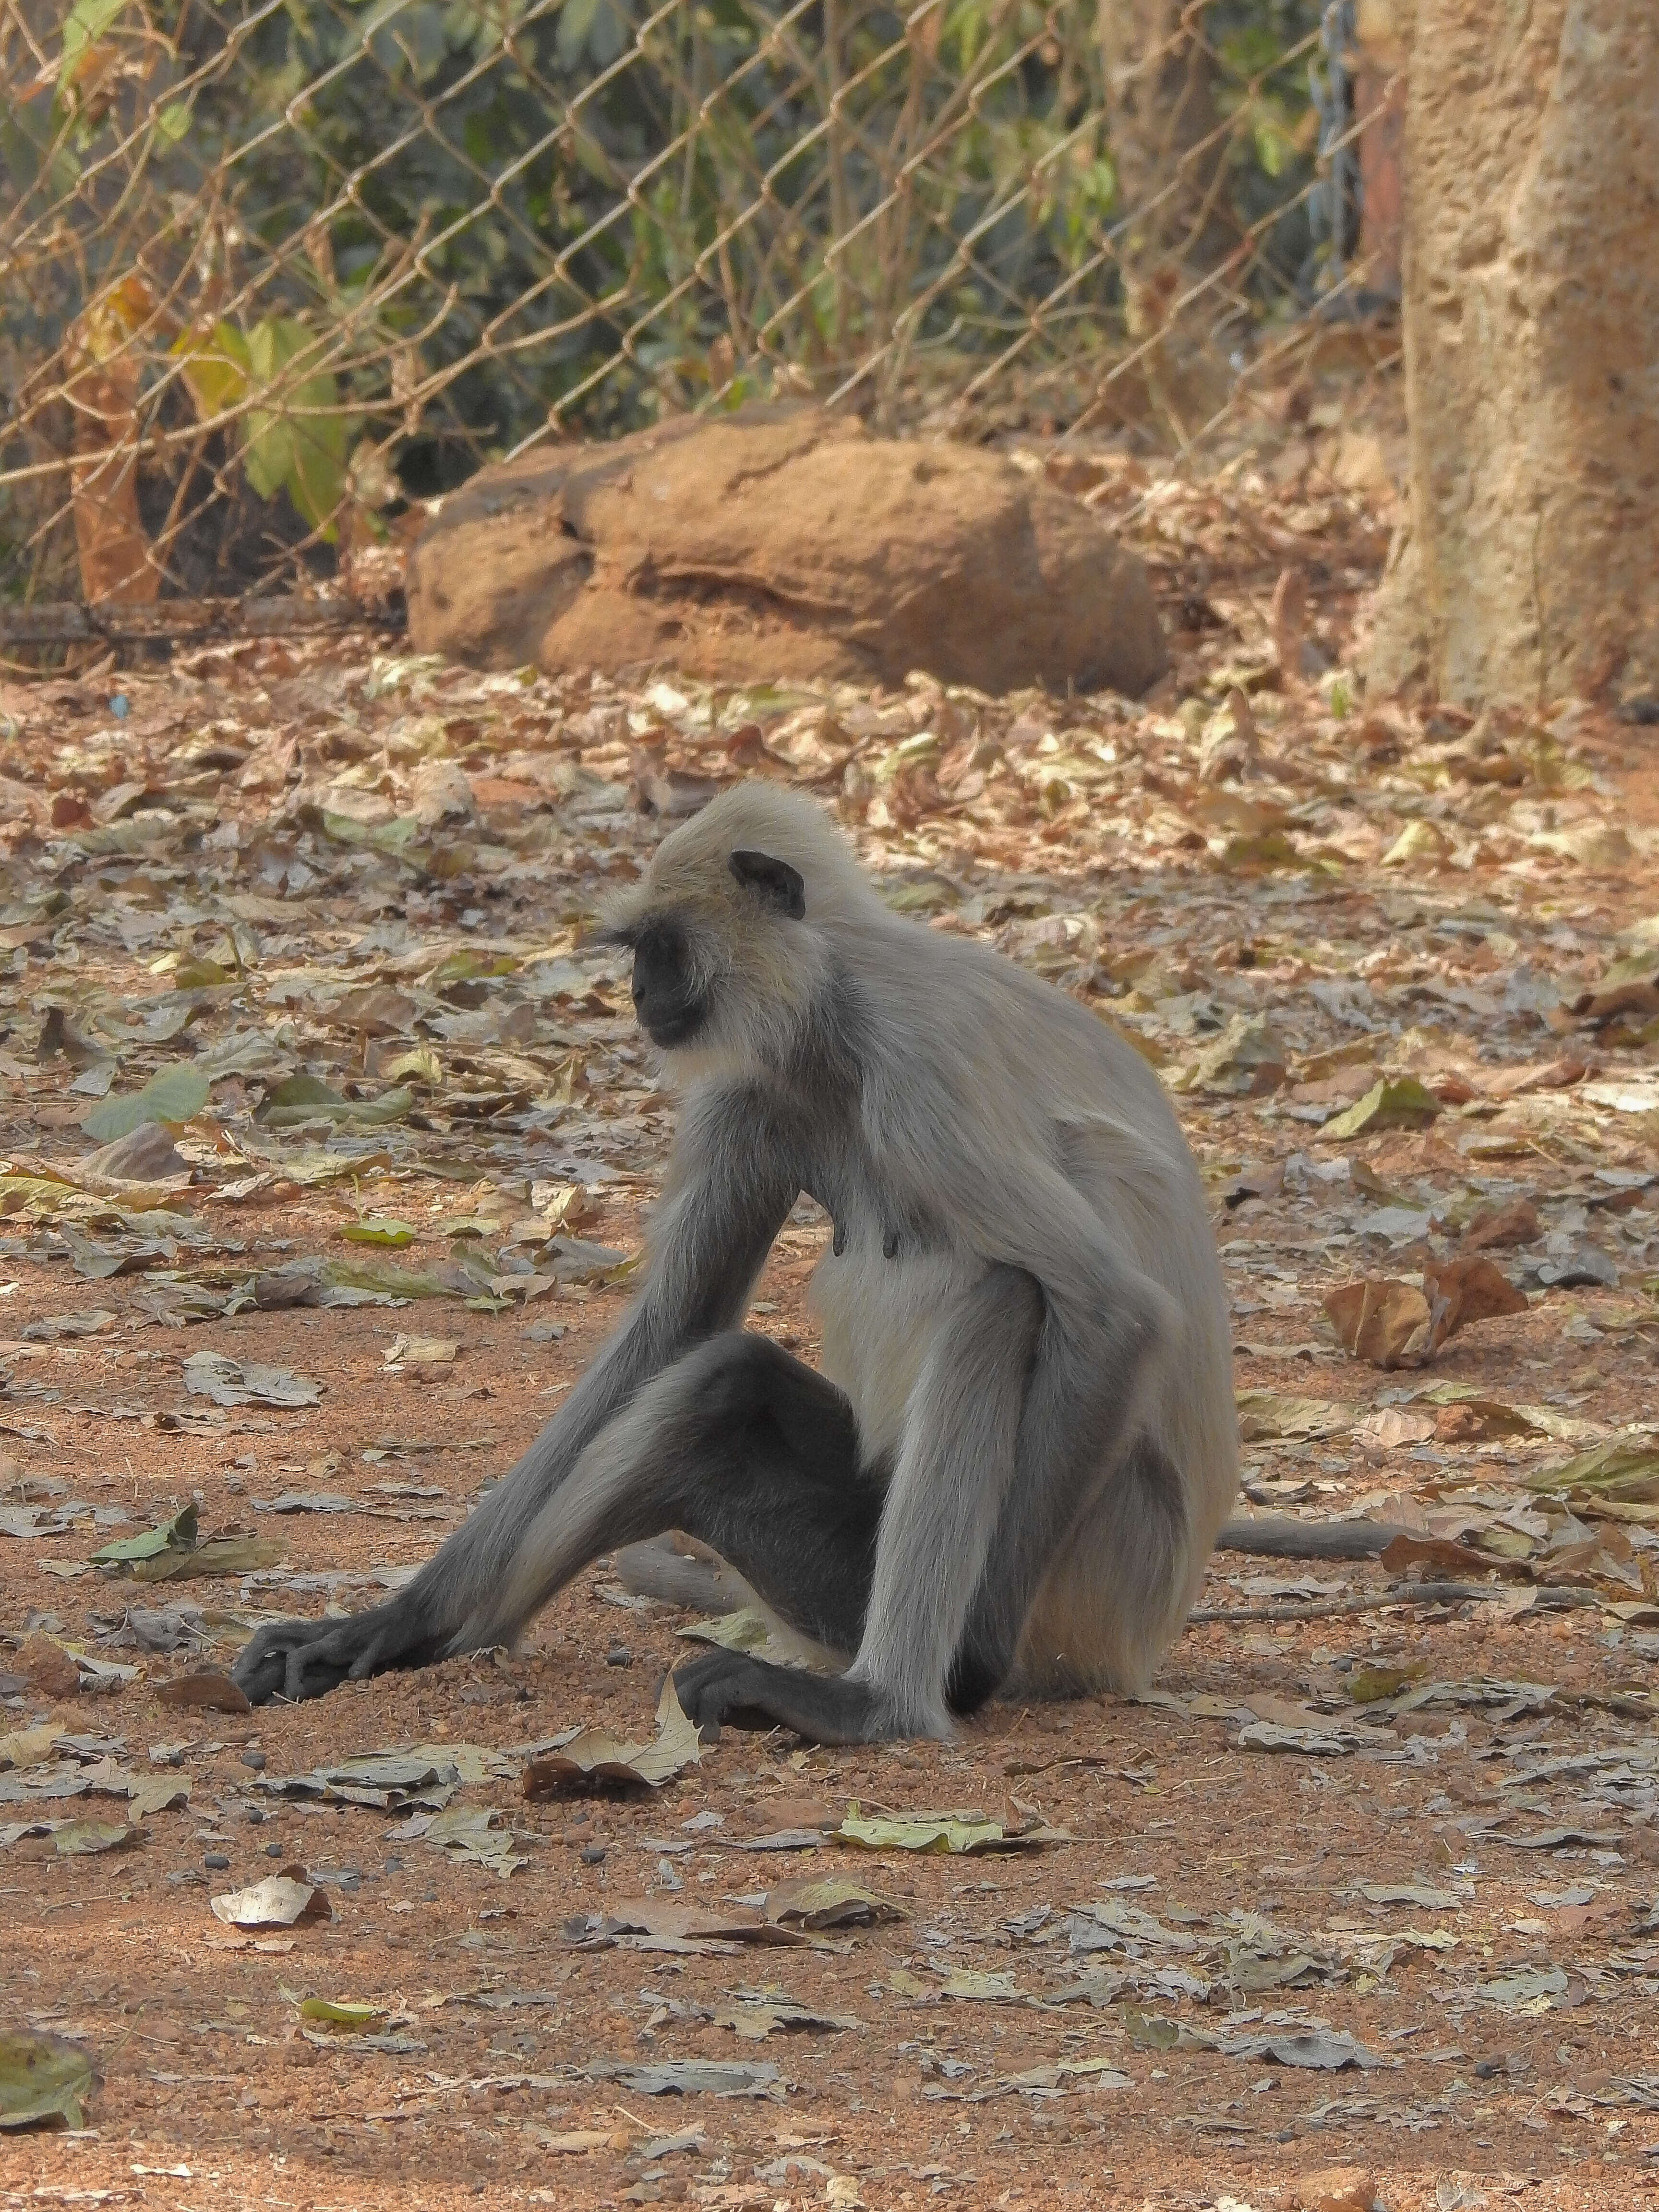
pixel 731 930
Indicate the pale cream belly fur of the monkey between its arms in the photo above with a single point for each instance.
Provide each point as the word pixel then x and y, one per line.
pixel 879 1317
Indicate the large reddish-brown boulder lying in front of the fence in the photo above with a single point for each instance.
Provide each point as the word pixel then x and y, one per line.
pixel 782 543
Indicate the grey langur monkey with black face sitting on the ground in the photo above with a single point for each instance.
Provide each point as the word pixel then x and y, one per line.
pixel 1023 1443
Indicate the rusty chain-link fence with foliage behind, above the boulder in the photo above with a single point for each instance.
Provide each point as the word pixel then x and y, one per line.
pixel 275 269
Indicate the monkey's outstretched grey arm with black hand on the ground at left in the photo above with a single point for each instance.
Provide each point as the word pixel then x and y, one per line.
pixel 729 1193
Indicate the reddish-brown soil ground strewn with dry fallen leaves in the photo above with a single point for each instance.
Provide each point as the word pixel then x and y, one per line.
pixel 1207 1888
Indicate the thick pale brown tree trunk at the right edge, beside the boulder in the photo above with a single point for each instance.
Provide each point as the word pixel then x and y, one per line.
pixel 1527 565
